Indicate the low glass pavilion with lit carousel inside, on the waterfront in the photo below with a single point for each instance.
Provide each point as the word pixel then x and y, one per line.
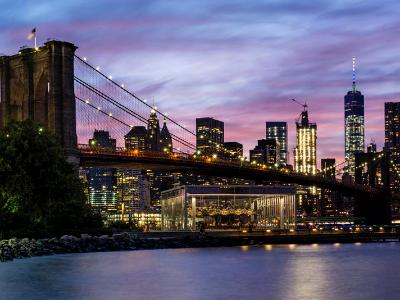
pixel 228 207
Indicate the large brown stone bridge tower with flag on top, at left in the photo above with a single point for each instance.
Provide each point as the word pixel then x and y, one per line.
pixel 38 84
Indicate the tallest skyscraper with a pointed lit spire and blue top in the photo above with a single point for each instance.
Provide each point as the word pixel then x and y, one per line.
pixel 353 124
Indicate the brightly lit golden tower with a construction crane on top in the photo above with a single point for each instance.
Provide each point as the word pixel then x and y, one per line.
pixel 305 152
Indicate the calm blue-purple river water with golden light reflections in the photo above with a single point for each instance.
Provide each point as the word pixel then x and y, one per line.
pixel 339 271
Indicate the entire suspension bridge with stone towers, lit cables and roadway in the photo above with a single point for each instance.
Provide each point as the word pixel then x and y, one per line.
pixel 65 93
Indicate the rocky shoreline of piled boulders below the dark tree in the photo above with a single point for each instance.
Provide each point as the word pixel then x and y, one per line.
pixel 20 248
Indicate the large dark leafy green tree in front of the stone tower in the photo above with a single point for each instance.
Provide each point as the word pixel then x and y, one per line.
pixel 40 193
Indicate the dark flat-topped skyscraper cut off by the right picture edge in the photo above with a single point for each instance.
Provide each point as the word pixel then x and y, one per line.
pixel 392 142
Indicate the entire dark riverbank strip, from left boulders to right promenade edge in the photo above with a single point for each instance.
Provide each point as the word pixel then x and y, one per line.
pixel 20 248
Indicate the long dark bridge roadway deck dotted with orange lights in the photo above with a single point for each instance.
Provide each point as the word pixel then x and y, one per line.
pixel 121 158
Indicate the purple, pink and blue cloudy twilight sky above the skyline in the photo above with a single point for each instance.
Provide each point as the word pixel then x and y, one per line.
pixel 237 61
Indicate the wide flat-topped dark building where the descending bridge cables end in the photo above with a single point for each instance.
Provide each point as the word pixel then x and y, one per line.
pixel 209 135
